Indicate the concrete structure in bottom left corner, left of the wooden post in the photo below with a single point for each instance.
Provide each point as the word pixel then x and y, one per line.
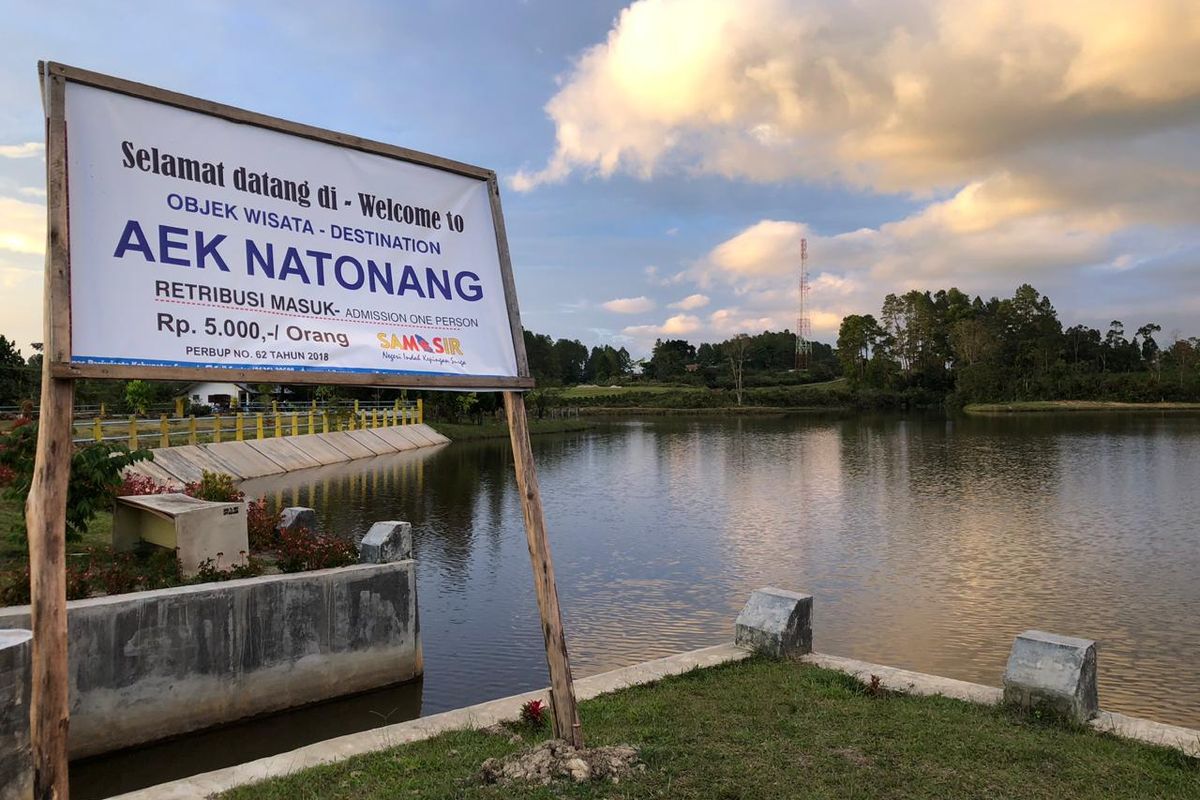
pixel 16 757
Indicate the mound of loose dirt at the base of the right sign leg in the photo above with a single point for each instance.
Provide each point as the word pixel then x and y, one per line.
pixel 556 760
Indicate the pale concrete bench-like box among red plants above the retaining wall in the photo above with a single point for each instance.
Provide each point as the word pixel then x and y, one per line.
pixel 197 530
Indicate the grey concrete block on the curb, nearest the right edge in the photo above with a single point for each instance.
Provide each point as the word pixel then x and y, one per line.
pixel 1055 675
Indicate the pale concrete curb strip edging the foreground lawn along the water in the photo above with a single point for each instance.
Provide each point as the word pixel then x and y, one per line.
pixel 509 708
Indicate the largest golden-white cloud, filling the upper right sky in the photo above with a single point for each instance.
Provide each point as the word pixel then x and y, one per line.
pixel 911 97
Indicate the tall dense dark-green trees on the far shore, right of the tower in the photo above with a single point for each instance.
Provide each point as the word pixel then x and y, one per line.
pixel 947 345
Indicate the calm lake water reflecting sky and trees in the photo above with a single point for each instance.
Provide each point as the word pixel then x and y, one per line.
pixel 927 543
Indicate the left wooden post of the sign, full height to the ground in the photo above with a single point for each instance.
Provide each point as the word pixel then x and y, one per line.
pixel 46 508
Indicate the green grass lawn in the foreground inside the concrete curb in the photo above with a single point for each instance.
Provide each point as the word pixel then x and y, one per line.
pixel 765 731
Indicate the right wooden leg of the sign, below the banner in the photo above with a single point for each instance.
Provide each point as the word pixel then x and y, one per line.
pixel 562 688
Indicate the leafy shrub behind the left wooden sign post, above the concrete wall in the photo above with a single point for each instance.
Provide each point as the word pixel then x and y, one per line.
pixel 95 476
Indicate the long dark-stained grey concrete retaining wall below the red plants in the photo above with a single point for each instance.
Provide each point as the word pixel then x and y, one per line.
pixel 158 664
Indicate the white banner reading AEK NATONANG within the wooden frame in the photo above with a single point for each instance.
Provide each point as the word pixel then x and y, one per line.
pixel 202 243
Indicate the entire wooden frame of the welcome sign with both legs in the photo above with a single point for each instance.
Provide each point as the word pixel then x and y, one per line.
pixel 46 507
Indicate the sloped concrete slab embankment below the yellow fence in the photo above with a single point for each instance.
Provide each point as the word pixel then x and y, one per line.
pixel 272 456
